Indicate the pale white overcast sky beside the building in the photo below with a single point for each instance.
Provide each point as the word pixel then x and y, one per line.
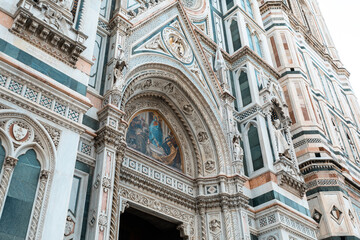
pixel 342 19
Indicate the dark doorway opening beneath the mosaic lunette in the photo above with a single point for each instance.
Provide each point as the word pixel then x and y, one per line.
pixel 138 225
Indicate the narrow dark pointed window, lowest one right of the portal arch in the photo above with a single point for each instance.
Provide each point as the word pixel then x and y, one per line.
pixel 255 148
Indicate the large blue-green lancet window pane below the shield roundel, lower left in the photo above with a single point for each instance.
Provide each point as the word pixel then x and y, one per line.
pixel 20 198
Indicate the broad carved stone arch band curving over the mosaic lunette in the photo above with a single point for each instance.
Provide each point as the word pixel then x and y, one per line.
pixel 189 106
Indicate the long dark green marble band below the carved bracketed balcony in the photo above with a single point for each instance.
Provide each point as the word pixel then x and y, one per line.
pixel 42 67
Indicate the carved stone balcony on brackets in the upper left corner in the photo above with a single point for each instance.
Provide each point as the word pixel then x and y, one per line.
pixel 49 26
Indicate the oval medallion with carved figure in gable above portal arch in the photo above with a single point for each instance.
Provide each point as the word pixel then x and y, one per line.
pixel 177 45
